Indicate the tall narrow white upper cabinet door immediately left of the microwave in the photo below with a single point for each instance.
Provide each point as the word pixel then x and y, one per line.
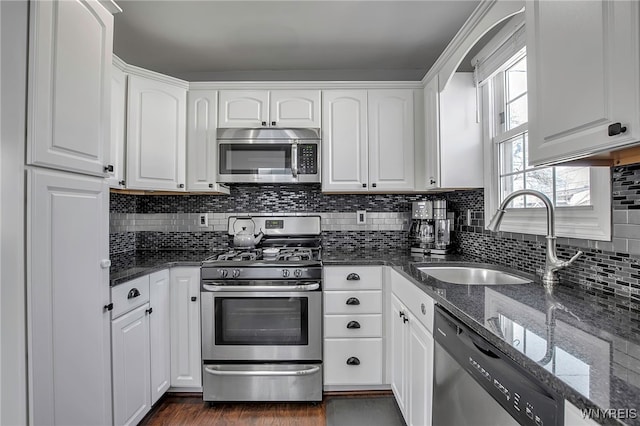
pixel 202 156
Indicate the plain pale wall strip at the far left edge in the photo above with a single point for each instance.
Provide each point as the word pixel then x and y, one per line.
pixel 13 78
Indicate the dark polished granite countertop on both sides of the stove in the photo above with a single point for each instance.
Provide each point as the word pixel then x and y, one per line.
pixel 596 351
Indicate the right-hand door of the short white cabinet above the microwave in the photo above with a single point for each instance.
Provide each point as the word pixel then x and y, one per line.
pixel 294 108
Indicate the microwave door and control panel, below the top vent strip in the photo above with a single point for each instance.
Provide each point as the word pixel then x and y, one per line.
pixel 268 161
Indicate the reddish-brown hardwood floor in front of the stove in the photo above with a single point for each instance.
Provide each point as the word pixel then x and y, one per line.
pixel 180 409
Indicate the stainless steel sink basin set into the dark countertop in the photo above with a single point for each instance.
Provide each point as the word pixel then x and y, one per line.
pixel 471 275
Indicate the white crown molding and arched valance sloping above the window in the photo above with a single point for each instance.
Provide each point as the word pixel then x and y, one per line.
pixel 484 17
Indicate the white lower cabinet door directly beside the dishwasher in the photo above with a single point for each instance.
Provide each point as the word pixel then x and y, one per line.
pixel 420 379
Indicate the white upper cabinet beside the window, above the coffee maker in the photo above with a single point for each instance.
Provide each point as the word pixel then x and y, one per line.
pixel 453 154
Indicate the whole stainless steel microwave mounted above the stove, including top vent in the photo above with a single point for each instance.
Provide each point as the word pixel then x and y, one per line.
pixel 268 155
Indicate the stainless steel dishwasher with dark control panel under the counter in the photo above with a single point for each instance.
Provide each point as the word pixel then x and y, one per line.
pixel 476 384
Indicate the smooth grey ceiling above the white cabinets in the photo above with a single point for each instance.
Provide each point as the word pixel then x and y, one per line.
pixel 287 40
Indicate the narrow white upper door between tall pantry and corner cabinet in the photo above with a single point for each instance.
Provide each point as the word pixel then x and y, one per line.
pixel 118 128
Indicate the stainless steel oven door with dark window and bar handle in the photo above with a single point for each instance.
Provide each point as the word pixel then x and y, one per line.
pixel 261 326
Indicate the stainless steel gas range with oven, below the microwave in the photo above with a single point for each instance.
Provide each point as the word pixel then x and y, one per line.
pixel 261 315
